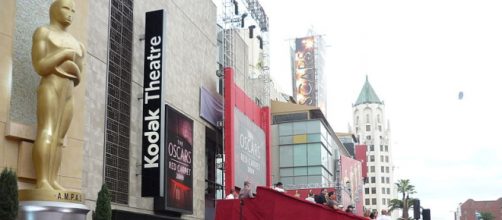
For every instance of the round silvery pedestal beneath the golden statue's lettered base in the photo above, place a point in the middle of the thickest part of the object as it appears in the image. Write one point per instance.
(44, 210)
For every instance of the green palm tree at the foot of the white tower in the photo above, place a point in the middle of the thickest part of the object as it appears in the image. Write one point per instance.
(406, 189)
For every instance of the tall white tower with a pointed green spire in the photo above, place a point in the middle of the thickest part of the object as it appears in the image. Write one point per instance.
(371, 129)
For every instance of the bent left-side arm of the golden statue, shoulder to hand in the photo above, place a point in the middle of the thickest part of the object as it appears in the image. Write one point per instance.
(44, 63)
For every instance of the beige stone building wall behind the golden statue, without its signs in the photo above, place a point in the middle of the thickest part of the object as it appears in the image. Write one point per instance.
(103, 144)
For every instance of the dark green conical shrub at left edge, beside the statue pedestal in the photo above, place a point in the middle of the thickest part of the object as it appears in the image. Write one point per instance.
(9, 203)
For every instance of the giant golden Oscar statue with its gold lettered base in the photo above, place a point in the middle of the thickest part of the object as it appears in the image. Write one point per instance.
(57, 57)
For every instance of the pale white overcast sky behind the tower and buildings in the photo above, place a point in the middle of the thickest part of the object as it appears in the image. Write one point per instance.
(418, 56)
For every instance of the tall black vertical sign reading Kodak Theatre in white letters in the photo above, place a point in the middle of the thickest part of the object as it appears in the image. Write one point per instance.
(152, 172)
